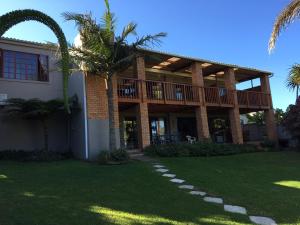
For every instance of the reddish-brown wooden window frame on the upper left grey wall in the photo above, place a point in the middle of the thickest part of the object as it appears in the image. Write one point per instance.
(38, 67)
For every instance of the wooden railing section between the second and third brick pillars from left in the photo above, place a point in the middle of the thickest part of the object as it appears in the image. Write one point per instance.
(216, 95)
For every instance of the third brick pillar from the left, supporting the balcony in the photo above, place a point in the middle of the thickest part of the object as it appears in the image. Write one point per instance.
(234, 113)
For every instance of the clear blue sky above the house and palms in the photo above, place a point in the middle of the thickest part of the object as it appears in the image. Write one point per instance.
(231, 31)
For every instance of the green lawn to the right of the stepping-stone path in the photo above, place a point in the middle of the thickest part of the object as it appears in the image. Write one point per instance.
(266, 184)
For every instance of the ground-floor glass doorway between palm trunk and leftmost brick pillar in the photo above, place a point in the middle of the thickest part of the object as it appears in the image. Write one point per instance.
(130, 133)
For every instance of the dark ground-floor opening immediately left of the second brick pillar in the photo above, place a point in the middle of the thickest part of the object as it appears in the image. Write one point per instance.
(186, 126)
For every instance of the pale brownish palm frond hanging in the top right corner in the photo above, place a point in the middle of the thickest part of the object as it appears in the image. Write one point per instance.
(287, 16)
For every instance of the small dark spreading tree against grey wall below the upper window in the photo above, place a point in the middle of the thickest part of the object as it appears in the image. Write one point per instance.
(35, 109)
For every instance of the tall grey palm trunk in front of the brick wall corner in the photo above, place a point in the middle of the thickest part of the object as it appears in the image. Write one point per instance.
(110, 99)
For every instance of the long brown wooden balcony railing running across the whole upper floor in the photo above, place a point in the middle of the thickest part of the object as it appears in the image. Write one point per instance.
(161, 92)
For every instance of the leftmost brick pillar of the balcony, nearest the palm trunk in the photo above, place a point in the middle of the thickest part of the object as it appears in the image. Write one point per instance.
(142, 107)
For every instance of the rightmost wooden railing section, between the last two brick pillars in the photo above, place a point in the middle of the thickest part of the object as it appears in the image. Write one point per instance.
(252, 98)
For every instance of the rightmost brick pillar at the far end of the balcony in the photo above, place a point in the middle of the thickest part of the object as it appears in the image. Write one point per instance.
(269, 113)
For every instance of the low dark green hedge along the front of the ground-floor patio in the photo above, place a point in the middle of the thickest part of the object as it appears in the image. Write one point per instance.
(198, 149)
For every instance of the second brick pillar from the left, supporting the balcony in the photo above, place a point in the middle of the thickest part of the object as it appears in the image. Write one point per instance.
(200, 111)
